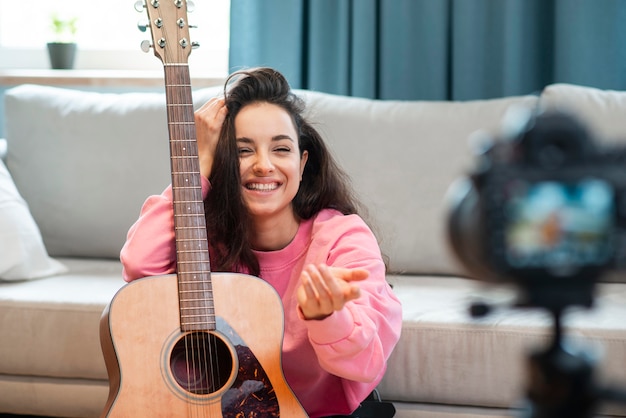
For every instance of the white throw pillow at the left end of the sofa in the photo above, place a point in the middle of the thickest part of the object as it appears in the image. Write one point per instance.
(22, 252)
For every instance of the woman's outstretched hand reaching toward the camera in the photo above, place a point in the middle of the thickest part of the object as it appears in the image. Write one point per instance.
(325, 289)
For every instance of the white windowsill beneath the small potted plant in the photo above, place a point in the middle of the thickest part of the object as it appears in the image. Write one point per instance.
(96, 78)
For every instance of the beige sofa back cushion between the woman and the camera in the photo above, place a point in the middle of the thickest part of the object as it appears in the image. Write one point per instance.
(402, 157)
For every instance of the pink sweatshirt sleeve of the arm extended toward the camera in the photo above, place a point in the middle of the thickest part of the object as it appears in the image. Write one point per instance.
(356, 342)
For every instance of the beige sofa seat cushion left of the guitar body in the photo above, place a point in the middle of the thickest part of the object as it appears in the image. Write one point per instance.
(50, 326)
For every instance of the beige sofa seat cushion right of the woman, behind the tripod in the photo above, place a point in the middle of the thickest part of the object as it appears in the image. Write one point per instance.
(444, 356)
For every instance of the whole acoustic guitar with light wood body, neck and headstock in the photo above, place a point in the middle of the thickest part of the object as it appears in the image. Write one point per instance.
(192, 344)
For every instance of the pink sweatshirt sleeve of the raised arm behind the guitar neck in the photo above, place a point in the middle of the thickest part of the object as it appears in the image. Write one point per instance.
(150, 248)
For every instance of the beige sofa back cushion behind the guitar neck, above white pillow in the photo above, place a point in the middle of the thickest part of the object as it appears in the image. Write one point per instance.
(88, 163)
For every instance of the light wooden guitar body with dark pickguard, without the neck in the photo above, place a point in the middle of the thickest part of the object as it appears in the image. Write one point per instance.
(152, 375)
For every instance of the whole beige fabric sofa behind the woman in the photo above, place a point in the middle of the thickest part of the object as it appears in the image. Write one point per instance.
(84, 162)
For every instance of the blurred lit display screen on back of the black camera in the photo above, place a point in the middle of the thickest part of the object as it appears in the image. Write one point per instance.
(558, 225)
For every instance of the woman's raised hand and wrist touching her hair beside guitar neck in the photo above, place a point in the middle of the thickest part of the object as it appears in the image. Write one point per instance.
(209, 120)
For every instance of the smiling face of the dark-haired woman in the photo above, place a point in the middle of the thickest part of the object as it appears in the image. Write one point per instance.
(270, 163)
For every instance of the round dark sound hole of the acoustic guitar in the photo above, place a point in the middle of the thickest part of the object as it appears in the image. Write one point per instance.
(201, 363)
